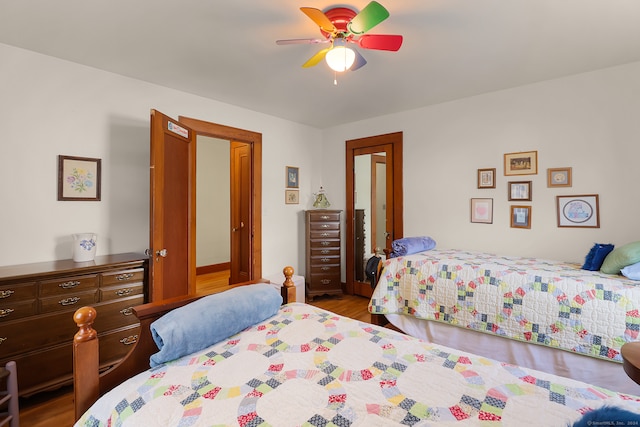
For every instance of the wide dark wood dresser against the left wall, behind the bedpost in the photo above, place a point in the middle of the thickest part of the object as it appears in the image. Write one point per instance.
(37, 302)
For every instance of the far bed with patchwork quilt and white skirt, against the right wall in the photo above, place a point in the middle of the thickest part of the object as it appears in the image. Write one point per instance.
(543, 314)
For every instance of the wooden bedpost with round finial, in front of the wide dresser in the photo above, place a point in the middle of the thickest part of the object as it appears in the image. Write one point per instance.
(86, 375)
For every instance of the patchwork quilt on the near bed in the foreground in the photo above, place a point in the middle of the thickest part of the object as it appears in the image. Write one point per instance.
(309, 367)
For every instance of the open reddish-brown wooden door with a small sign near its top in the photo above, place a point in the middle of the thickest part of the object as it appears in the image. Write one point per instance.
(172, 265)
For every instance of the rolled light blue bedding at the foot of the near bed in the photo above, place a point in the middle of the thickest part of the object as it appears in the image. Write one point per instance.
(211, 319)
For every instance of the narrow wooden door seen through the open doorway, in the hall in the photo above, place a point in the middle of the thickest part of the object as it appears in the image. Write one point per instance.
(241, 224)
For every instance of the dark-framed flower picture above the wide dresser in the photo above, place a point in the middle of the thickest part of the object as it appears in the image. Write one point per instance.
(78, 178)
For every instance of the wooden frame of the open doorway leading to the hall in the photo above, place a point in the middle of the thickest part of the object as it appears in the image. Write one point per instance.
(201, 127)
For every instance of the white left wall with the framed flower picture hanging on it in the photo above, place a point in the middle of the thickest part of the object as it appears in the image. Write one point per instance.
(50, 107)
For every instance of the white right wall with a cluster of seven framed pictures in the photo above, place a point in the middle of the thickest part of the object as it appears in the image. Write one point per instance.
(588, 122)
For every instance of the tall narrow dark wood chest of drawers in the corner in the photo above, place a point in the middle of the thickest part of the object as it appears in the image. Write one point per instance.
(323, 260)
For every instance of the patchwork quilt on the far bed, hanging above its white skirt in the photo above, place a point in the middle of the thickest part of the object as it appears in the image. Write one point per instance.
(545, 302)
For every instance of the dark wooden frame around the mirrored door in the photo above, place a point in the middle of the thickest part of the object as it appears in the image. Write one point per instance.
(395, 139)
